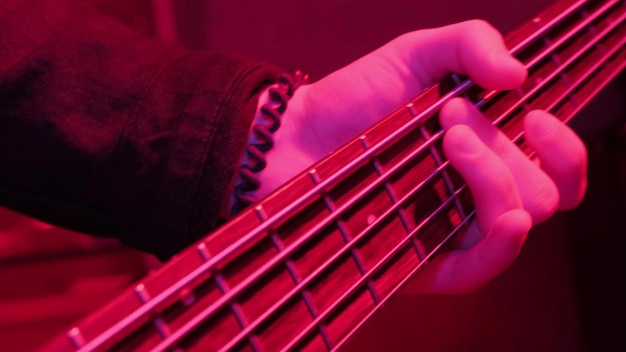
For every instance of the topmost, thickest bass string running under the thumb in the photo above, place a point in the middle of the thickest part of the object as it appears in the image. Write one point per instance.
(212, 263)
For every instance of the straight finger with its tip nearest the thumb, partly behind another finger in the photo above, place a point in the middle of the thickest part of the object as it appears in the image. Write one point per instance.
(538, 191)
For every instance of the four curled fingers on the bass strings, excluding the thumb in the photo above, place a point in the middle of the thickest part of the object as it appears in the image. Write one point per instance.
(511, 192)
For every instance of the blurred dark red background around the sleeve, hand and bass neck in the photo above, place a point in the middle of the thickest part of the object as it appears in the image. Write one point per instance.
(566, 292)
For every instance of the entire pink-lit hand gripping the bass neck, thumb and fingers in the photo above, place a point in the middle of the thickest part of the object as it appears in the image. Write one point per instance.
(512, 192)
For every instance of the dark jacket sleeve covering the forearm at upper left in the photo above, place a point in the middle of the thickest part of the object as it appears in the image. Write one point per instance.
(113, 134)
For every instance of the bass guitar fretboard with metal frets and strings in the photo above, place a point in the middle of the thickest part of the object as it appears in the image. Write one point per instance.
(305, 267)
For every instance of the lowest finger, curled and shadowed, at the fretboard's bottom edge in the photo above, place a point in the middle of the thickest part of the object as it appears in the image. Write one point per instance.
(464, 271)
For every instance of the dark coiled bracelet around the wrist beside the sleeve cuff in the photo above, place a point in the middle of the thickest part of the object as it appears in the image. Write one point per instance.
(271, 113)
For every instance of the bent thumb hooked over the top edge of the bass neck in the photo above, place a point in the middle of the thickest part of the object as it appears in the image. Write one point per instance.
(473, 48)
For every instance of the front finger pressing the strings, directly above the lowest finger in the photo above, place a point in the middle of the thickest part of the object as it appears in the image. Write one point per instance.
(489, 179)
